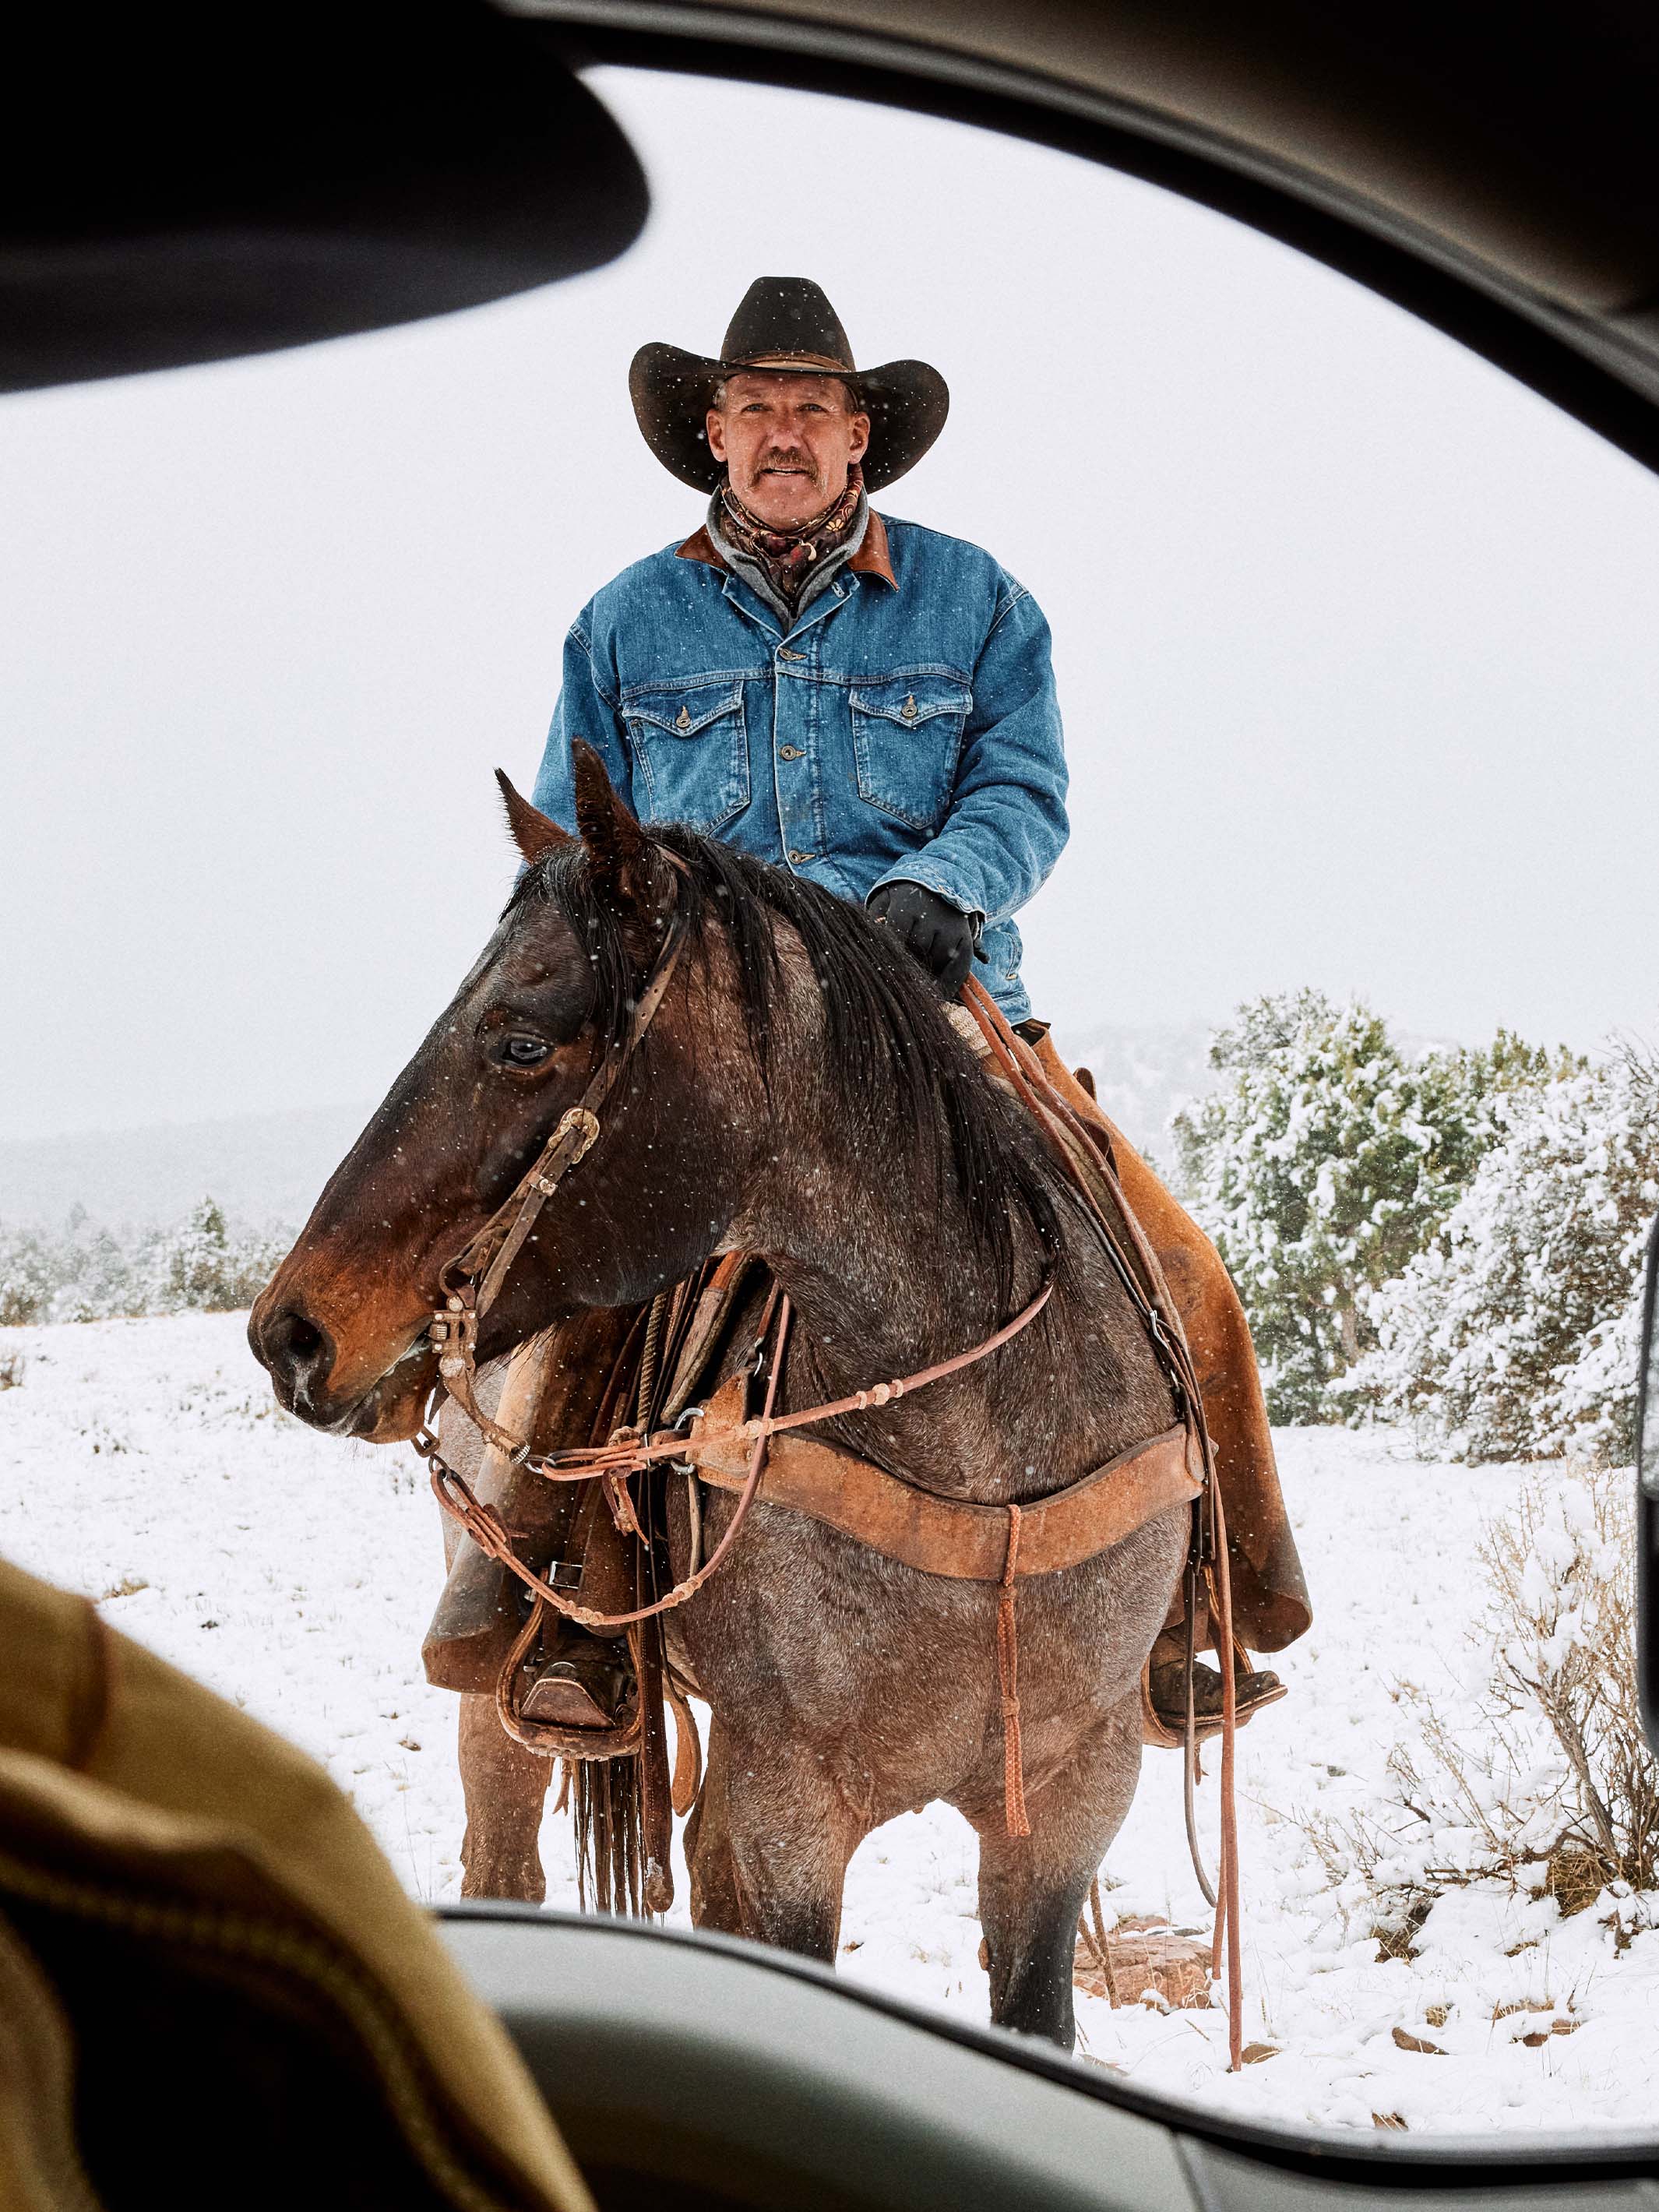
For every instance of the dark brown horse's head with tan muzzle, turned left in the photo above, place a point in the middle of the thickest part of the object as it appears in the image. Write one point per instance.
(344, 1324)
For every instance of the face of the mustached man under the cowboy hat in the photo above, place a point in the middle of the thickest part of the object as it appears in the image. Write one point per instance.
(789, 444)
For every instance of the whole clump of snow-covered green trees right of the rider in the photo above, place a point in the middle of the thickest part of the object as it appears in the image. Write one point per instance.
(1450, 1240)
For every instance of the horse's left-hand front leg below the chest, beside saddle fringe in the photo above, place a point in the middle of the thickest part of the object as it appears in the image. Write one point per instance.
(771, 1848)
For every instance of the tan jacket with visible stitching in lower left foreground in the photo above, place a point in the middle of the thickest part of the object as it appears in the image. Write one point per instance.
(211, 1985)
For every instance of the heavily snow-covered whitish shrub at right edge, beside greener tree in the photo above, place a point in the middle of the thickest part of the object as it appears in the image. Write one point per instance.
(1514, 1333)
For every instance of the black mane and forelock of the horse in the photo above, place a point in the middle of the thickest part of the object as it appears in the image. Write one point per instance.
(904, 1074)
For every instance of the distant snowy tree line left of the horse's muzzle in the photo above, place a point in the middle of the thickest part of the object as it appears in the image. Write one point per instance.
(87, 1273)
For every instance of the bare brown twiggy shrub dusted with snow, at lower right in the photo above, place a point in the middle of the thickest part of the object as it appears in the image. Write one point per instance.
(1541, 1777)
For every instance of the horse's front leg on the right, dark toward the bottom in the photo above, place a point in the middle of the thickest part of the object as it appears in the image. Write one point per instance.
(1034, 1888)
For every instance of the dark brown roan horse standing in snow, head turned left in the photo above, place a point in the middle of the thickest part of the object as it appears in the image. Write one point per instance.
(800, 1096)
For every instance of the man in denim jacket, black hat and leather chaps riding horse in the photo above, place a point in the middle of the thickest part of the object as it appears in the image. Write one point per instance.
(870, 707)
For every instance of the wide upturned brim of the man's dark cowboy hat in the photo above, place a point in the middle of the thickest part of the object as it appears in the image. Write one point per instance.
(671, 393)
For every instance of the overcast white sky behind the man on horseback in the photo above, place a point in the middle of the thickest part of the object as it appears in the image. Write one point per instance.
(1357, 640)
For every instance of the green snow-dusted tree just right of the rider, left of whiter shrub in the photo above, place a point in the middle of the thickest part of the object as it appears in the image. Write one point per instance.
(1324, 1165)
